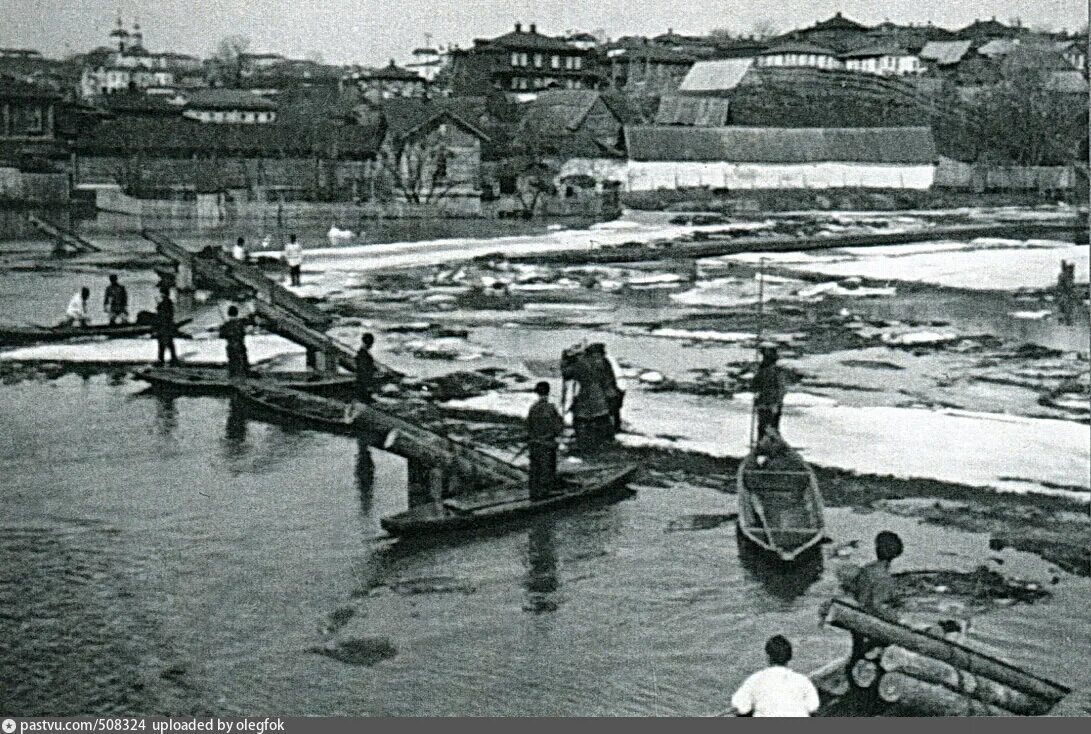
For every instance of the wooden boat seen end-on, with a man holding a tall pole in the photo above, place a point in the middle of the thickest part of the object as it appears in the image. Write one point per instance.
(781, 509)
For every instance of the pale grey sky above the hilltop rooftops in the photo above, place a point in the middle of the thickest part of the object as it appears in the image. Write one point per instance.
(373, 32)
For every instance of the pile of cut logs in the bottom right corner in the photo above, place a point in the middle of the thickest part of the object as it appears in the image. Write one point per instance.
(932, 677)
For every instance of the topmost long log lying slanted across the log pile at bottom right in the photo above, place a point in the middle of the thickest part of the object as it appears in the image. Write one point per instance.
(855, 620)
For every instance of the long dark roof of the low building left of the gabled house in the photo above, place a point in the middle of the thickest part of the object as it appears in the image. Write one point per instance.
(181, 136)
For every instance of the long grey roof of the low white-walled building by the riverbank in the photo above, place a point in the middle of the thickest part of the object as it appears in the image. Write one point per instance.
(782, 146)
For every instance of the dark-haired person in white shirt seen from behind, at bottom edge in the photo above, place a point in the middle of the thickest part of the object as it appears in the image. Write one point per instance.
(777, 691)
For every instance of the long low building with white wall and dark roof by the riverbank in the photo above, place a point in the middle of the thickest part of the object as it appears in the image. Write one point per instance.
(778, 159)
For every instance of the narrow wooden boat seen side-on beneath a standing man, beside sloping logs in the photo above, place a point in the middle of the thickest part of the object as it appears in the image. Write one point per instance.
(509, 504)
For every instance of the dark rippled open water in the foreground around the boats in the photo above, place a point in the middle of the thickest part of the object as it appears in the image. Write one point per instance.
(174, 557)
